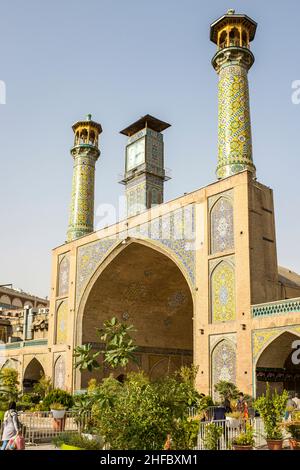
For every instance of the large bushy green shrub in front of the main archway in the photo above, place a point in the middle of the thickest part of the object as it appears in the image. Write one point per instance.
(138, 414)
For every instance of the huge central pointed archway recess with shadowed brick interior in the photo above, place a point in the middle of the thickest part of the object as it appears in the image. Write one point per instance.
(142, 286)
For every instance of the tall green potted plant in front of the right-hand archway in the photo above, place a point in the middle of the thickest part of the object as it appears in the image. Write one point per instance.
(271, 408)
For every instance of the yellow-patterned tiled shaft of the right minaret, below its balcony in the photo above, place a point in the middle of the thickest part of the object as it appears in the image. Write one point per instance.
(234, 134)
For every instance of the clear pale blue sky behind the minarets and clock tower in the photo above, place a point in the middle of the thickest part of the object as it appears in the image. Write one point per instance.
(120, 59)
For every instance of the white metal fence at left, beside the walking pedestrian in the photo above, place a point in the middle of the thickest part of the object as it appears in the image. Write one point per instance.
(41, 426)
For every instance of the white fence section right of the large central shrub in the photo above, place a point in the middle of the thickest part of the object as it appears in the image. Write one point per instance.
(230, 431)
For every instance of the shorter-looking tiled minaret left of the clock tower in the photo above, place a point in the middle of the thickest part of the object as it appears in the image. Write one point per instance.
(85, 153)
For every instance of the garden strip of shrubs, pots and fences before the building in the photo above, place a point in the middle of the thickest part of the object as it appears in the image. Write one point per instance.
(137, 413)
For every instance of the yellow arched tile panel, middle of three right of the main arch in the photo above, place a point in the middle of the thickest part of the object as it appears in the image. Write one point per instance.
(223, 293)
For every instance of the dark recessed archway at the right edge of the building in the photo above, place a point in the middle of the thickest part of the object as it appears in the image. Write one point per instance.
(276, 365)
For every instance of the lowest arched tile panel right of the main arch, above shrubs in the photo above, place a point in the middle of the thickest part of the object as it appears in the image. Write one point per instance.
(223, 364)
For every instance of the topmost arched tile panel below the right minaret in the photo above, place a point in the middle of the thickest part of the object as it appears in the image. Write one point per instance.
(222, 235)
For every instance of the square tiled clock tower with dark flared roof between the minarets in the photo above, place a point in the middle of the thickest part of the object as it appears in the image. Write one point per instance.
(144, 164)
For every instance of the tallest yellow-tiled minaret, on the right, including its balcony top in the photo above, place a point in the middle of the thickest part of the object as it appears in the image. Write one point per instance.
(232, 33)
